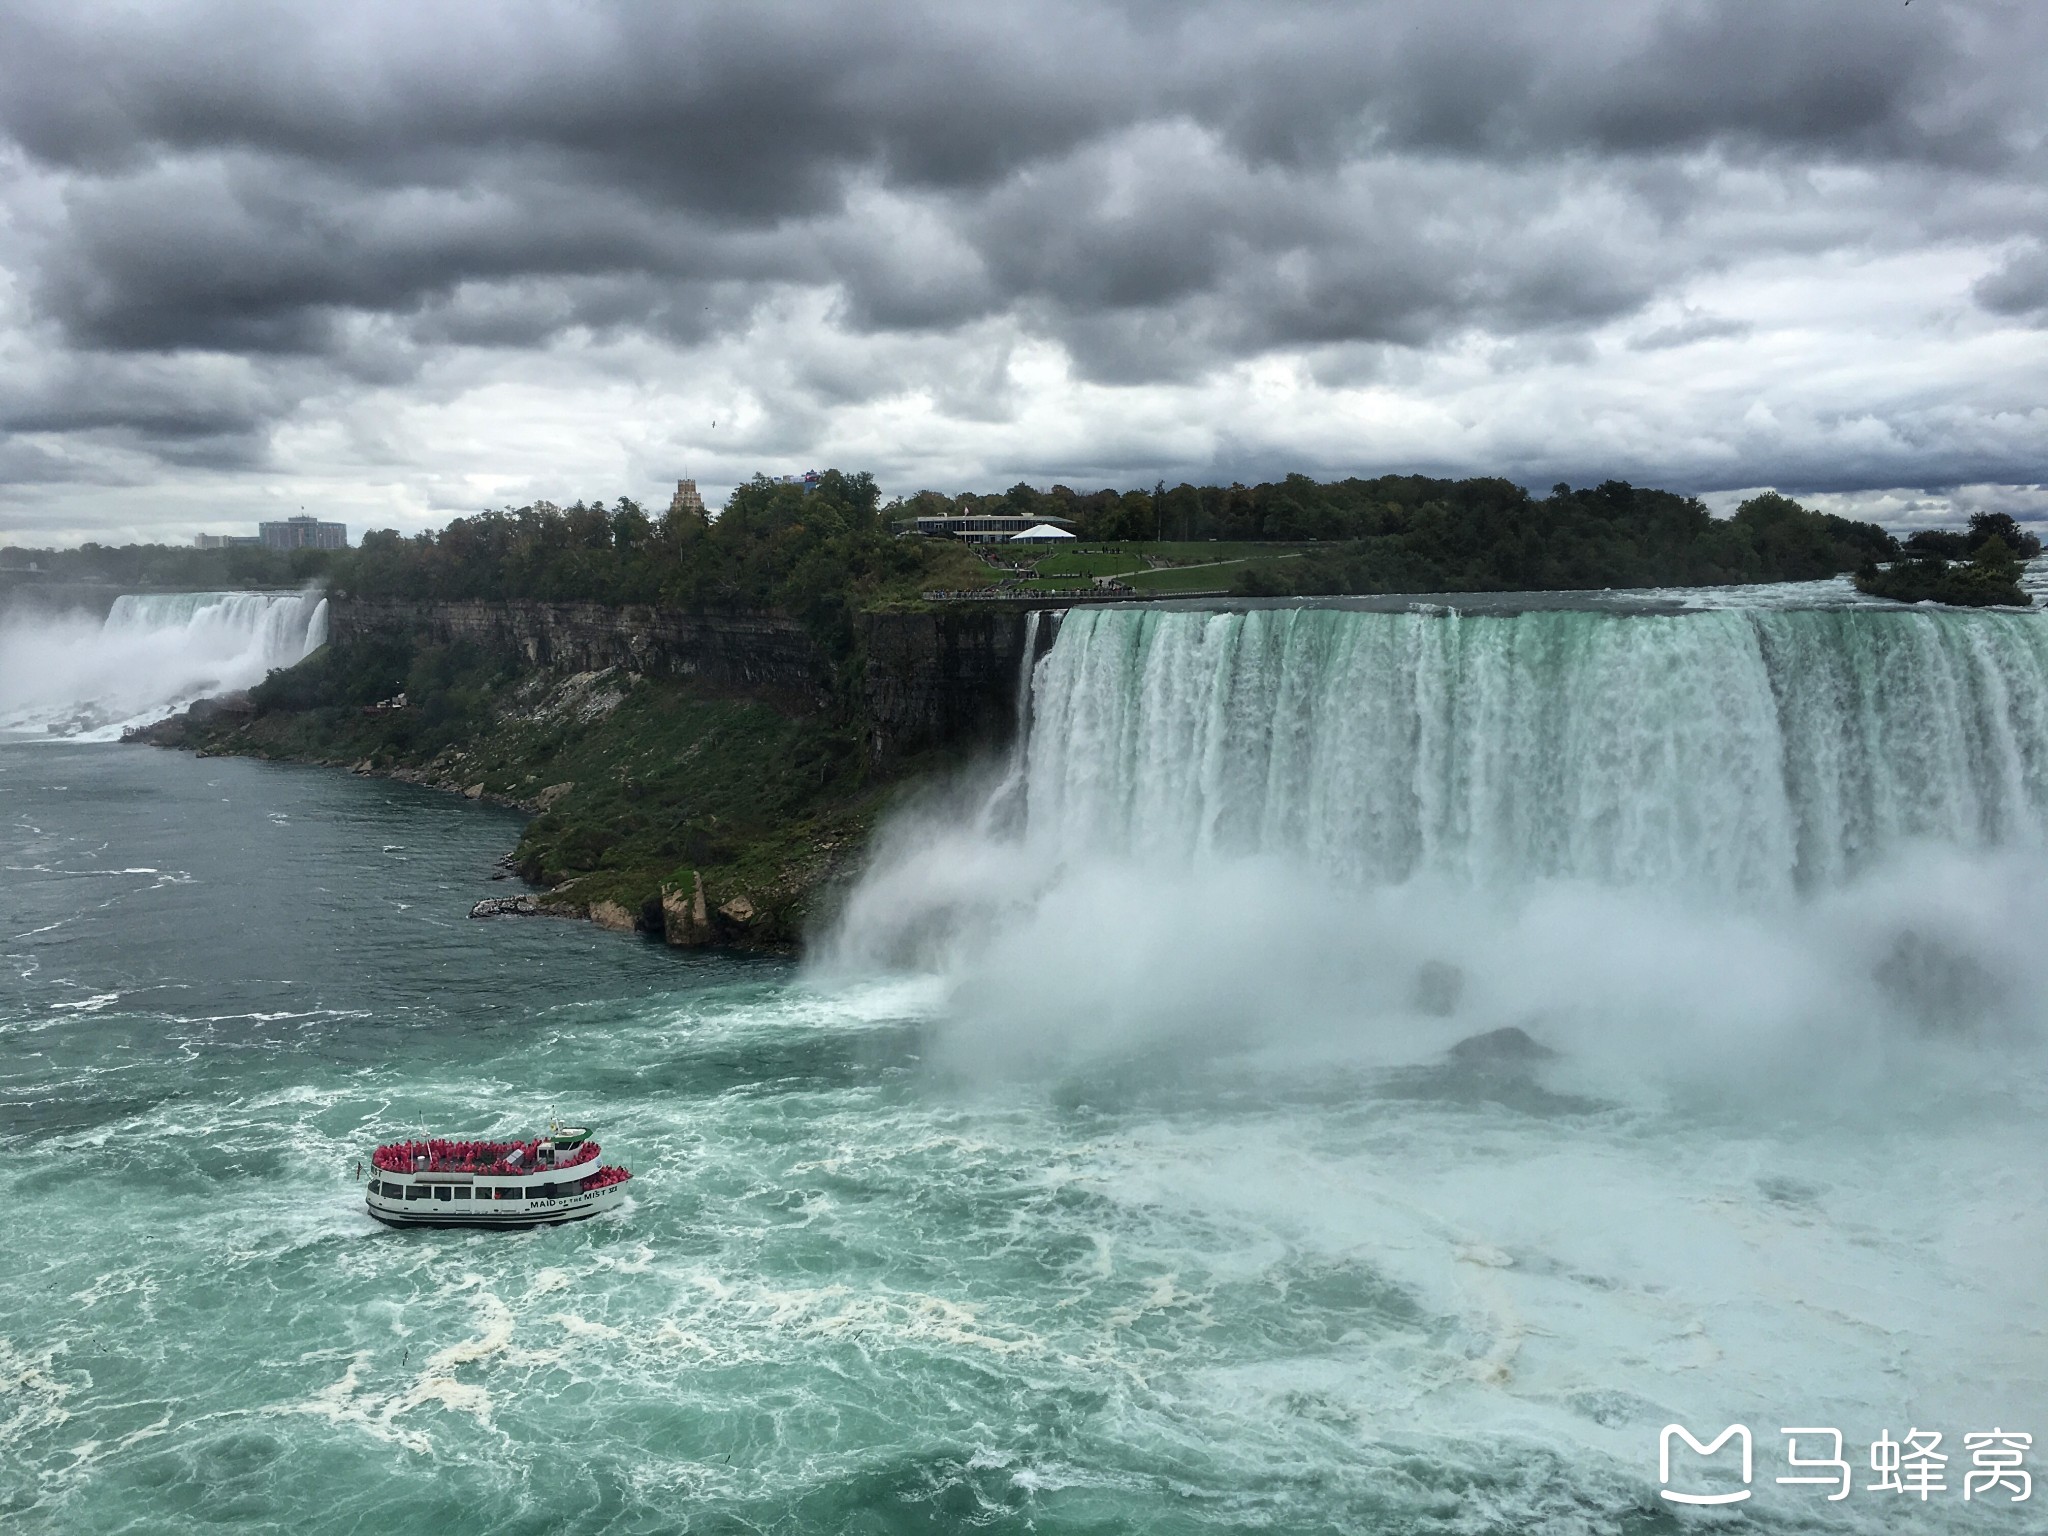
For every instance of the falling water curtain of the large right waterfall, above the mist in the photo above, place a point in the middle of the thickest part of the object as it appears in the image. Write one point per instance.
(1744, 753)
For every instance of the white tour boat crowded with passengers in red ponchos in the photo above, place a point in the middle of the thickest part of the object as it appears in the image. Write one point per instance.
(445, 1183)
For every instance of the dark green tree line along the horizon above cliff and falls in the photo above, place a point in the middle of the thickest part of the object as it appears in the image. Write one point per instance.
(824, 552)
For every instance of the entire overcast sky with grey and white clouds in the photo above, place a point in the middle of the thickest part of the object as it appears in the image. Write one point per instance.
(392, 263)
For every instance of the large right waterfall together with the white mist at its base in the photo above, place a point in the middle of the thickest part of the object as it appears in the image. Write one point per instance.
(1715, 824)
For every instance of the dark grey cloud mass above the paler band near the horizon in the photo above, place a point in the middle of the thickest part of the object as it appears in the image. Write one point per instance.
(343, 200)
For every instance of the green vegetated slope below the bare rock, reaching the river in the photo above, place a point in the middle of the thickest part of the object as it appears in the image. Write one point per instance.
(642, 787)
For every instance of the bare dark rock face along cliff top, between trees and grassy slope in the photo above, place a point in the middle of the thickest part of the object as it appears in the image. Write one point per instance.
(931, 679)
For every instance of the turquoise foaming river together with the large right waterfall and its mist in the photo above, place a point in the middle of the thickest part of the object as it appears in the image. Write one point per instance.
(1357, 1072)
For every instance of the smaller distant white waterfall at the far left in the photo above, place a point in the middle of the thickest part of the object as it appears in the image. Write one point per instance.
(155, 654)
